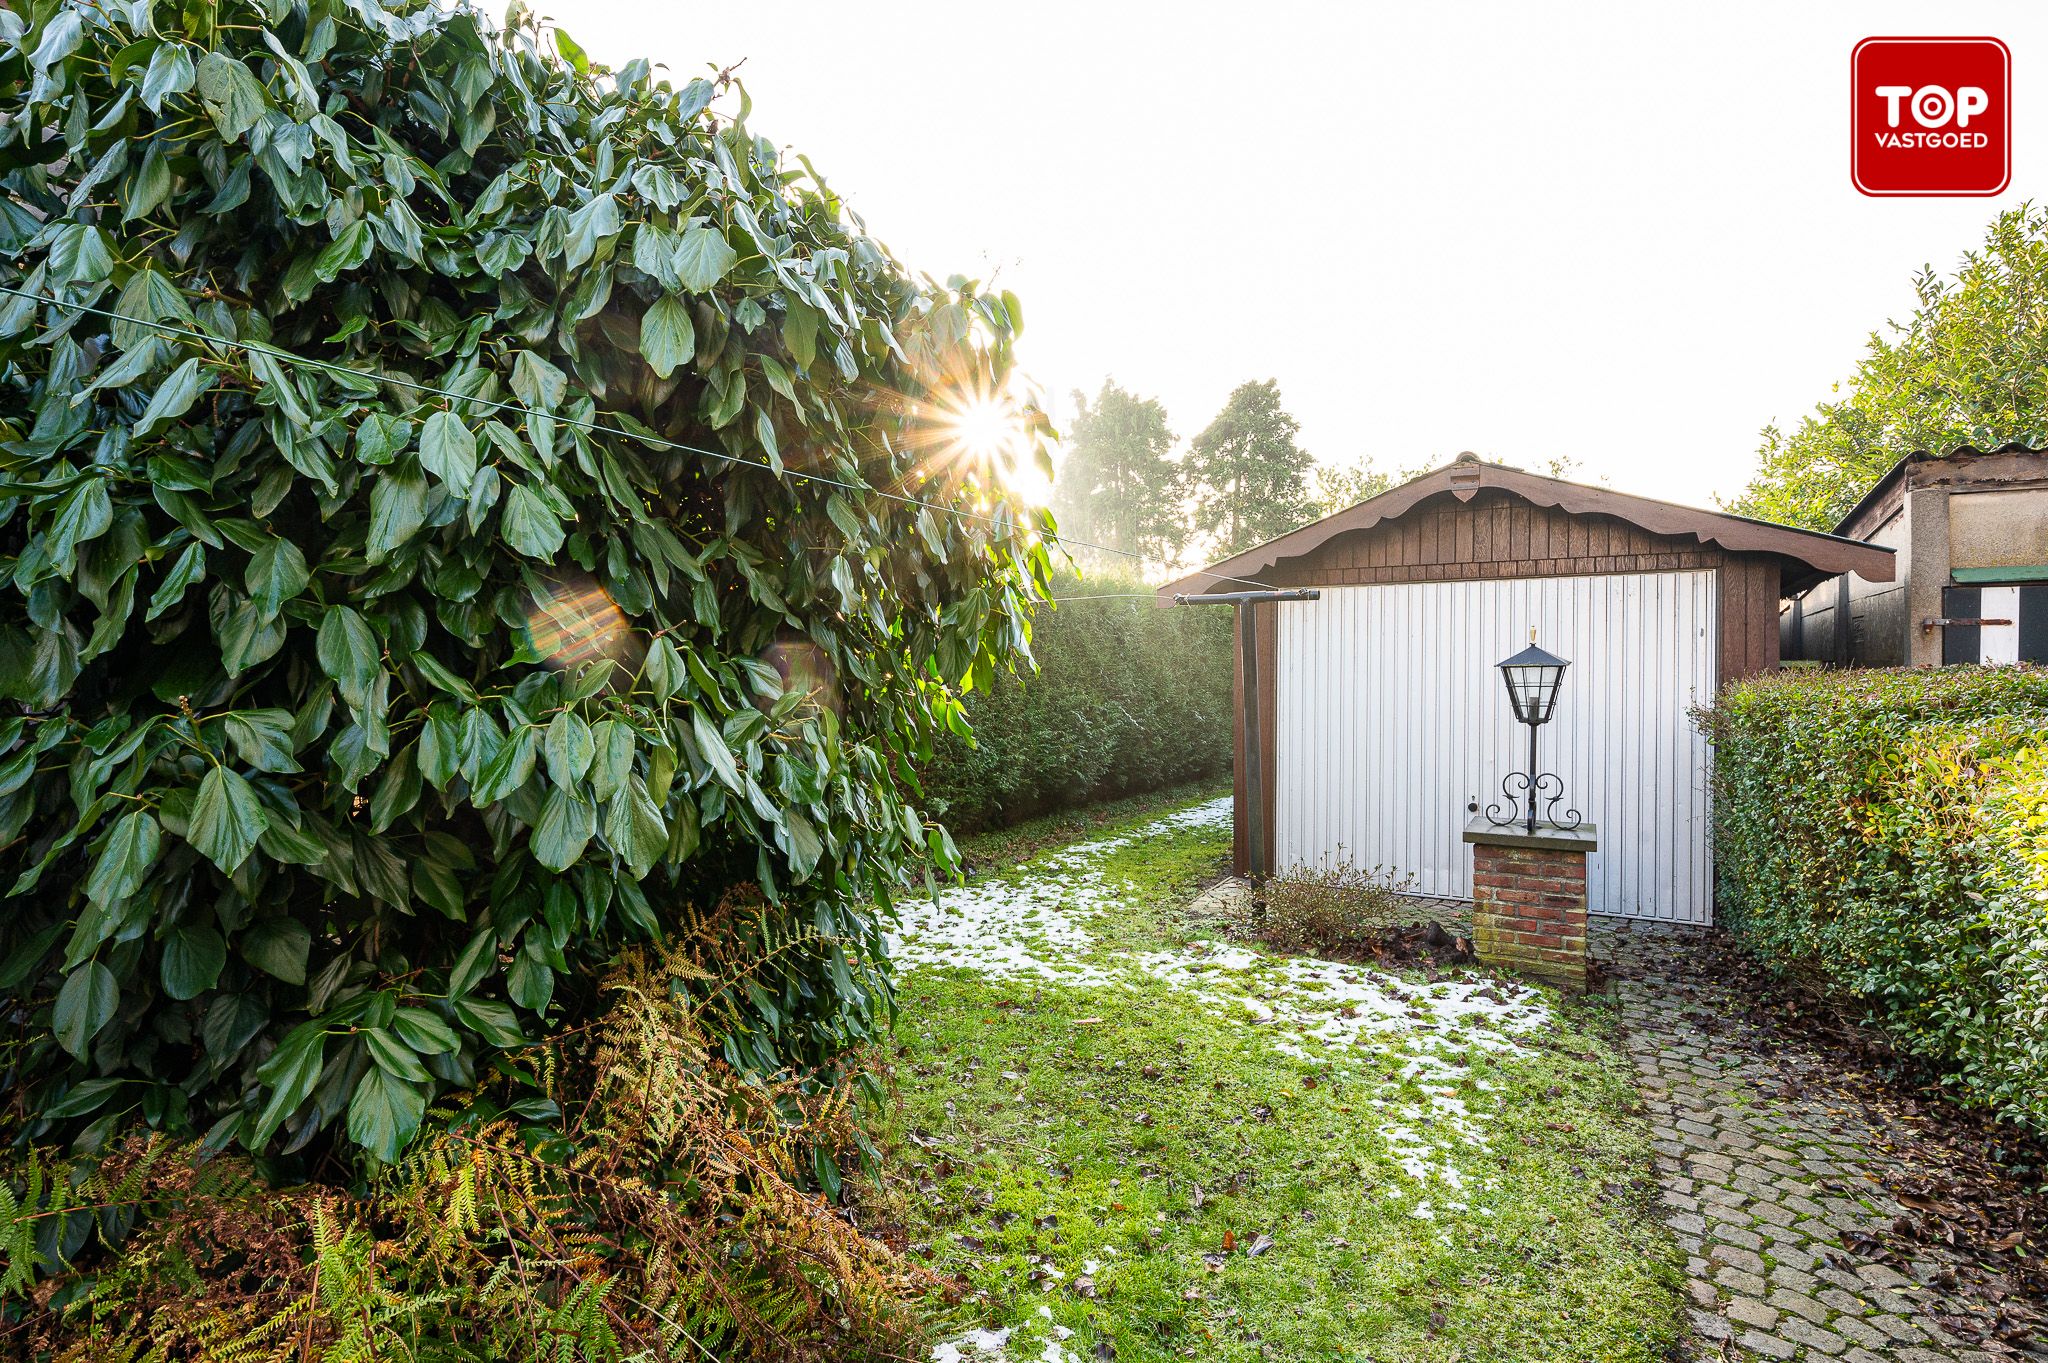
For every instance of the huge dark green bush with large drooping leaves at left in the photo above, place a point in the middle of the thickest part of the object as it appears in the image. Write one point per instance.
(411, 597)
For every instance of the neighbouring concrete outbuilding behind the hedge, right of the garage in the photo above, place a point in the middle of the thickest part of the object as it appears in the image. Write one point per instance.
(1971, 533)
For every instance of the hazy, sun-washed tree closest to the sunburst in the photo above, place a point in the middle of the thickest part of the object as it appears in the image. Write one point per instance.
(1117, 486)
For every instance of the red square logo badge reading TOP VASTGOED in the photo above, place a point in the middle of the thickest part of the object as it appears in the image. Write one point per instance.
(1932, 116)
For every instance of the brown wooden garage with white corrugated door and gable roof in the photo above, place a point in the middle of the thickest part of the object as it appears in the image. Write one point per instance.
(1383, 723)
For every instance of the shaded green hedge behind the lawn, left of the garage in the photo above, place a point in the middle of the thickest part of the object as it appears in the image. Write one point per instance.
(1127, 699)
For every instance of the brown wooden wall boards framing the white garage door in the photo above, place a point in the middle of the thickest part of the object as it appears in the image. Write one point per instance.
(1502, 535)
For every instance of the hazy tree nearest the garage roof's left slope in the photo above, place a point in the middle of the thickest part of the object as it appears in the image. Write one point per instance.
(1250, 480)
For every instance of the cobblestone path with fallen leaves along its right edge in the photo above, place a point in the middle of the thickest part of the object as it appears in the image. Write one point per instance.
(1764, 1176)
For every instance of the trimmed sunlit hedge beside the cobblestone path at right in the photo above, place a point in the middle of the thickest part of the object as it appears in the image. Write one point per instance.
(1887, 834)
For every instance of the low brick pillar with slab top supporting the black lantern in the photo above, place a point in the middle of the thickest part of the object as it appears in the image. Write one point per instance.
(1529, 899)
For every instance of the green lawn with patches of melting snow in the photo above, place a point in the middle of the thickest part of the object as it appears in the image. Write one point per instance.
(1129, 1139)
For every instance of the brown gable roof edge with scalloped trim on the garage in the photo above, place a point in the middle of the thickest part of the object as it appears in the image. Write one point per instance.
(1809, 556)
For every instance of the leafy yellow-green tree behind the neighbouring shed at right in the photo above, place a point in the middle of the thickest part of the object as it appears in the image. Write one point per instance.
(1969, 367)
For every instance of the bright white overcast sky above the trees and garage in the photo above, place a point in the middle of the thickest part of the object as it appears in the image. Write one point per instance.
(1621, 234)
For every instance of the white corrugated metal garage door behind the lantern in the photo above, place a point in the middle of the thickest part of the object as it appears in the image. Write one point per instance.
(1392, 721)
